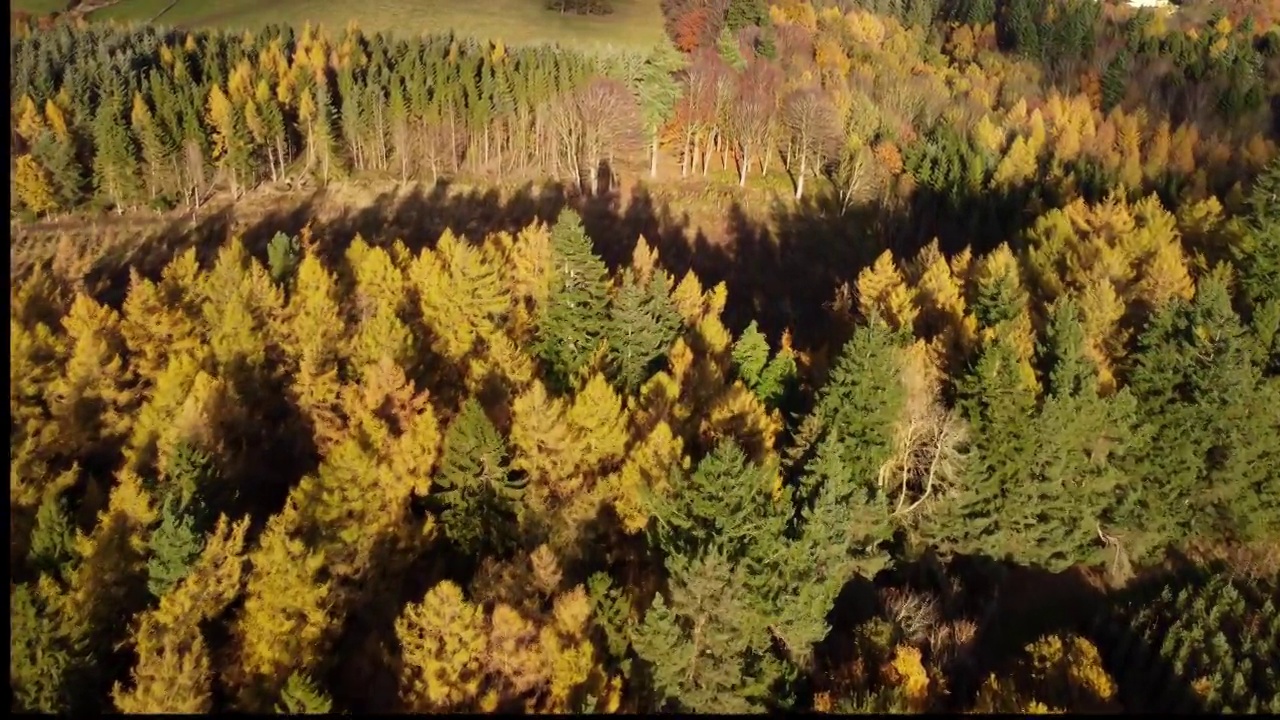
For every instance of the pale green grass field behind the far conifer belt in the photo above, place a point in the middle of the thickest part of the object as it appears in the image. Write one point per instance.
(634, 24)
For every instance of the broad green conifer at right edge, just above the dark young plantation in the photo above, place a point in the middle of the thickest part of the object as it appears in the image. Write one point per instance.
(1210, 466)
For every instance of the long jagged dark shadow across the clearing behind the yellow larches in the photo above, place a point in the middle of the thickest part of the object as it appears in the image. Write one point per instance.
(781, 265)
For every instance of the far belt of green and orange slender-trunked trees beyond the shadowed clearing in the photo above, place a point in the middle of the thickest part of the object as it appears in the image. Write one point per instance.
(152, 117)
